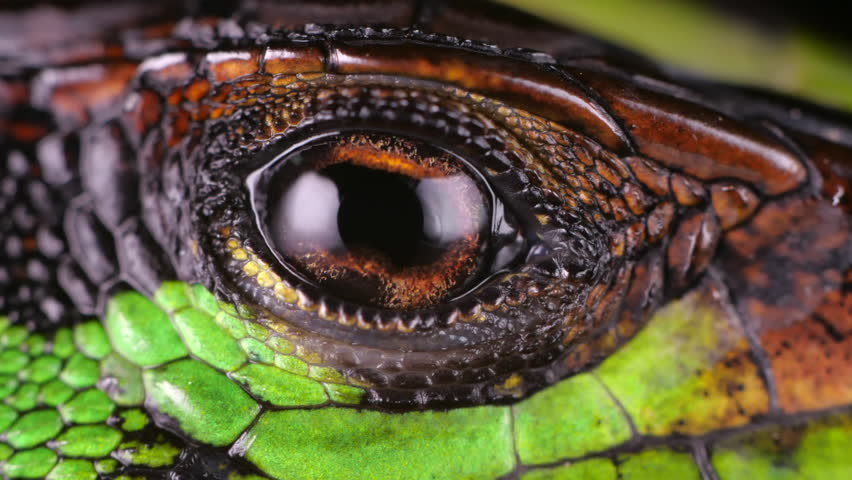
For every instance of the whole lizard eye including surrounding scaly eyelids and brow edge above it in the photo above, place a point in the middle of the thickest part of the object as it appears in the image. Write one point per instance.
(382, 219)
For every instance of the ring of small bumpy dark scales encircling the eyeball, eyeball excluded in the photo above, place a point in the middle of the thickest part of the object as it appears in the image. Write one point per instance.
(511, 322)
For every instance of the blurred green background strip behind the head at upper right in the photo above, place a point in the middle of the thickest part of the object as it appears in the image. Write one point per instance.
(724, 43)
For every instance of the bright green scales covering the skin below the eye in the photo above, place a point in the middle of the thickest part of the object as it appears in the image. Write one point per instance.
(79, 404)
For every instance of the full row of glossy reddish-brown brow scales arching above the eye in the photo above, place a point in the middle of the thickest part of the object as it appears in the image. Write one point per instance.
(566, 94)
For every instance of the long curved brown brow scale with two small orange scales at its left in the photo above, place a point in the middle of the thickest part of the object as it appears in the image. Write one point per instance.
(538, 88)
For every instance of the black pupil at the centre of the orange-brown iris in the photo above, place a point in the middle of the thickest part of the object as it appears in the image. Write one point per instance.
(380, 211)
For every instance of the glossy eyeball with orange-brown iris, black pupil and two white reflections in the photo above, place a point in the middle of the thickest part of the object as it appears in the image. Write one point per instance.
(383, 220)
